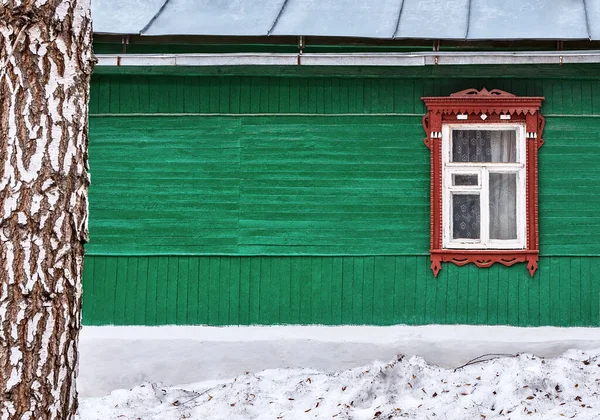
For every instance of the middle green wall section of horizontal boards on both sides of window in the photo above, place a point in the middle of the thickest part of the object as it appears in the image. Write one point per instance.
(312, 185)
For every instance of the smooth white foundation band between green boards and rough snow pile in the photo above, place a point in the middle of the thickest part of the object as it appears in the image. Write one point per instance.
(123, 357)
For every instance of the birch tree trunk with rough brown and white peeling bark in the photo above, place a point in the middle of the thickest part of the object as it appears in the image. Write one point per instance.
(45, 67)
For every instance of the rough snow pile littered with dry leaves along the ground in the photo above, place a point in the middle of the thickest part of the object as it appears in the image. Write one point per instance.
(521, 387)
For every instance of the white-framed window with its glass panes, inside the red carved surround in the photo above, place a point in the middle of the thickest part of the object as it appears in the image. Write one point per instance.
(484, 186)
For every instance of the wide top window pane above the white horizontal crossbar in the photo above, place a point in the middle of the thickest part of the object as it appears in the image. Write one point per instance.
(484, 146)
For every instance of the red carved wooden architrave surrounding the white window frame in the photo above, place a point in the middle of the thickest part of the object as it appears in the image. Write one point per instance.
(471, 104)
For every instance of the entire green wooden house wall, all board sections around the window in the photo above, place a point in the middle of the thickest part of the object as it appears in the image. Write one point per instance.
(303, 198)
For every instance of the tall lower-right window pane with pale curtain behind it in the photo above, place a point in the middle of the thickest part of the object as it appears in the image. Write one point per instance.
(503, 206)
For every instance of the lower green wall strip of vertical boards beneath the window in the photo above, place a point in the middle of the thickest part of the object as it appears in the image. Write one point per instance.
(380, 290)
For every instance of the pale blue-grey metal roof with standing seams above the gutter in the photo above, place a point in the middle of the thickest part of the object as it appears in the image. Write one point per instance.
(383, 19)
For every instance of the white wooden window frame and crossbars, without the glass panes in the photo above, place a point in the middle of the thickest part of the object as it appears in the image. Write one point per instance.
(482, 170)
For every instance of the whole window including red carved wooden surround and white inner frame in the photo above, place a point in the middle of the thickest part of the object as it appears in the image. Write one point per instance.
(483, 178)
